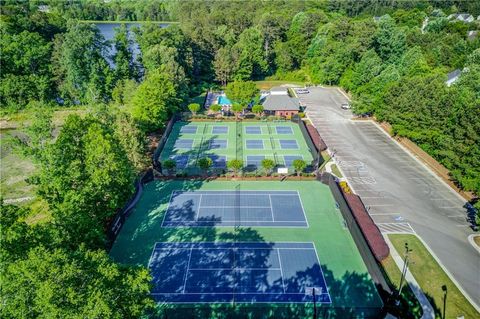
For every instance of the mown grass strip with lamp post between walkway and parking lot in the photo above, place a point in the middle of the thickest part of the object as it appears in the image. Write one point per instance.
(431, 277)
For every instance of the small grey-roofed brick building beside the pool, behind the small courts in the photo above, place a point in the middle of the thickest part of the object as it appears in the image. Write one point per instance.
(278, 102)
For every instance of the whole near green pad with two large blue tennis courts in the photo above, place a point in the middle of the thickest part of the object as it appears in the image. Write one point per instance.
(246, 269)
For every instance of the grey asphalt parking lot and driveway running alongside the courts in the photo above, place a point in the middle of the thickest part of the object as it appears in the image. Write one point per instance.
(401, 194)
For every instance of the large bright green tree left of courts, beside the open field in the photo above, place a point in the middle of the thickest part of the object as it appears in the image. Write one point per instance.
(85, 176)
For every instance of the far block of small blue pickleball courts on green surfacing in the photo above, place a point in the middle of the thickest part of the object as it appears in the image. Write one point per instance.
(223, 141)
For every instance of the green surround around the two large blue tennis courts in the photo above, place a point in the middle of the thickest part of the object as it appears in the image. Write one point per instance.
(349, 284)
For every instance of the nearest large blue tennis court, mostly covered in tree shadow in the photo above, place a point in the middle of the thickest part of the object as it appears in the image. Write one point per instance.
(243, 272)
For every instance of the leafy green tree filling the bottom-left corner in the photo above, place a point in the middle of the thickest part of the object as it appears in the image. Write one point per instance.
(93, 286)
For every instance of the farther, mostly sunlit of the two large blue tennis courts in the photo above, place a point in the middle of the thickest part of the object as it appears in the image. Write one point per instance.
(232, 208)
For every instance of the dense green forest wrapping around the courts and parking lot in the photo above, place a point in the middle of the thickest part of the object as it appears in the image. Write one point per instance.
(393, 57)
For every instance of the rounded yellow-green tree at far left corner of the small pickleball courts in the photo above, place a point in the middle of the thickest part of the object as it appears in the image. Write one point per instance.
(154, 101)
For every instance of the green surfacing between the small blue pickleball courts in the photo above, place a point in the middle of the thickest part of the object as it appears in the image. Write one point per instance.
(204, 134)
